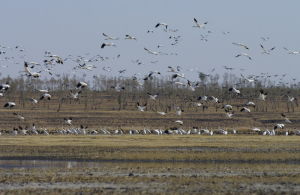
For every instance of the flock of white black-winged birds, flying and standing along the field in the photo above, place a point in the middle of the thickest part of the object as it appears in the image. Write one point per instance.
(176, 74)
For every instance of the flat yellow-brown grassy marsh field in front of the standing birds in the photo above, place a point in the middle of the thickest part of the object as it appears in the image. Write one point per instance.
(154, 164)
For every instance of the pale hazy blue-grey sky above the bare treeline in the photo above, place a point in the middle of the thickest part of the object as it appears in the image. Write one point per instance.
(75, 27)
